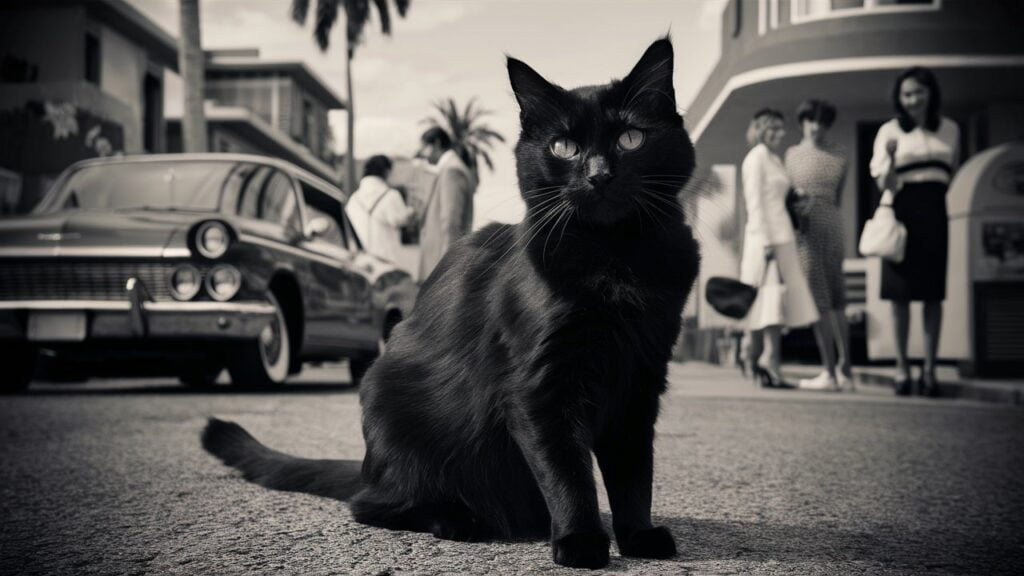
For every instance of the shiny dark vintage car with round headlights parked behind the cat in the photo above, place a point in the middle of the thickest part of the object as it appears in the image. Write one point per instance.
(186, 265)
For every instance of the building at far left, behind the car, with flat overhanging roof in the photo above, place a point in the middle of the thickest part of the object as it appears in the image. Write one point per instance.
(77, 80)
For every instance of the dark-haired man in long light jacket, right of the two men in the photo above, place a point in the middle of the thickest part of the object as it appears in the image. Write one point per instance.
(449, 213)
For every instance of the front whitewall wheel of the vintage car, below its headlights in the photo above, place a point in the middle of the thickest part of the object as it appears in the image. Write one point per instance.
(264, 363)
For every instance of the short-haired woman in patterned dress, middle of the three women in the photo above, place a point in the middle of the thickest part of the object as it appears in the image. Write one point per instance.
(818, 169)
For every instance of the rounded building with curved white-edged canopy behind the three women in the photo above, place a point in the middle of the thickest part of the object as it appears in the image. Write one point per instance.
(779, 53)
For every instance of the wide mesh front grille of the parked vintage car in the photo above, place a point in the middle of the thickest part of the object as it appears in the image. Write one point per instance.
(44, 280)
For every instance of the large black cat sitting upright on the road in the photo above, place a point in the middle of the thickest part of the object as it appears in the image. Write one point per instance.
(533, 346)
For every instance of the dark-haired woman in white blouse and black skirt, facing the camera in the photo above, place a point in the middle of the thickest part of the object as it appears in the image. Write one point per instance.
(916, 155)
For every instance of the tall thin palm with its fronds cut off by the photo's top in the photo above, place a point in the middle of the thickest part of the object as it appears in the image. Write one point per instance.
(357, 17)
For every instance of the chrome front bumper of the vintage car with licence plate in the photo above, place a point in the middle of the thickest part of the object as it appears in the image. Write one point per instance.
(136, 318)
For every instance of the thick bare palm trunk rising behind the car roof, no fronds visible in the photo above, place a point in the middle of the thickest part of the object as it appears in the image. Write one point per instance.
(191, 64)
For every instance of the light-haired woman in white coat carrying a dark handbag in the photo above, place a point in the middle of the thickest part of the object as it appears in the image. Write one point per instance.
(770, 250)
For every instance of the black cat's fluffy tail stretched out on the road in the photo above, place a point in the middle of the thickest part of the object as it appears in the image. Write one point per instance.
(237, 448)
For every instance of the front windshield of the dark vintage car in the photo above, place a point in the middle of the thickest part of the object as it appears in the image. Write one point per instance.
(149, 186)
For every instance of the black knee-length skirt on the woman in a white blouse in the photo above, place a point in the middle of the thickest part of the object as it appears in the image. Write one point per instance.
(922, 275)
